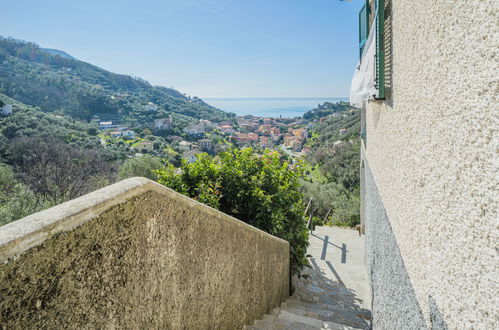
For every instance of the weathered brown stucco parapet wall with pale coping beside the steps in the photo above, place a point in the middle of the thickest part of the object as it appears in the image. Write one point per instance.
(144, 257)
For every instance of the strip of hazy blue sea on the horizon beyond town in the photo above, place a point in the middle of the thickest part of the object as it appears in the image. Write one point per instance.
(270, 107)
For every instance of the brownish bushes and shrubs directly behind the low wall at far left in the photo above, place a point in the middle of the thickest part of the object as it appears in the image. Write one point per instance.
(46, 172)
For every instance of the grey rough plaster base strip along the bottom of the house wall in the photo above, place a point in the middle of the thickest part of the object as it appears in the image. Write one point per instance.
(394, 304)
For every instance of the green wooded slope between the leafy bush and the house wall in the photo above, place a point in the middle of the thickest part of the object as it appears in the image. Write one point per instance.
(334, 183)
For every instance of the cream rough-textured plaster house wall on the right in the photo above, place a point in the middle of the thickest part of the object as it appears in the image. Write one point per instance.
(433, 151)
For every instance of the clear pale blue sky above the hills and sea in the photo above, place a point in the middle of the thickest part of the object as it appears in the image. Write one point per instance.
(205, 48)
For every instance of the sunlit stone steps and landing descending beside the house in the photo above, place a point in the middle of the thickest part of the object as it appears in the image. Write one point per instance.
(336, 295)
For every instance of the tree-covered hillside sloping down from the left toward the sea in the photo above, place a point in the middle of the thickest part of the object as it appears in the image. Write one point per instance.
(66, 86)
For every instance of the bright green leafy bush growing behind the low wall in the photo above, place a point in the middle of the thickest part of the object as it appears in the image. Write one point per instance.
(259, 189)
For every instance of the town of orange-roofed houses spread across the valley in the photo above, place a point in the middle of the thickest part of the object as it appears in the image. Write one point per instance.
(289, 135)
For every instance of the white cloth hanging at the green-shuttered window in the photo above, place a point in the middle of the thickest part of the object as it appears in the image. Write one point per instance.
(364, 79)
